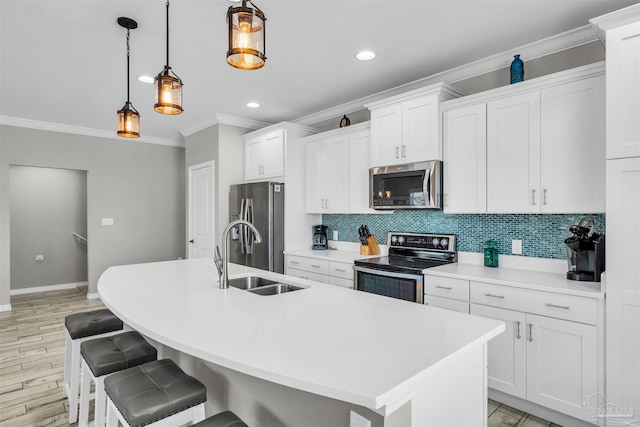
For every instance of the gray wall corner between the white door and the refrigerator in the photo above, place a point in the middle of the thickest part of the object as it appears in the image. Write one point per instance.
(224, 145)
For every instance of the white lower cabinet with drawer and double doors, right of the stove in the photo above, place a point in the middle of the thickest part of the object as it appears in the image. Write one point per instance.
(546, 360)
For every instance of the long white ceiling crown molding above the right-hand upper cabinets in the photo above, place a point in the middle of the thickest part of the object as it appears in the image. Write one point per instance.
(550, 45)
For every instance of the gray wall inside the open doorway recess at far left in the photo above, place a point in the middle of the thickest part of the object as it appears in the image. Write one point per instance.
(47, 205)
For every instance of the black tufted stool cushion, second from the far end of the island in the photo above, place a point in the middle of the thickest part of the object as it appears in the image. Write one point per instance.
(117, 352)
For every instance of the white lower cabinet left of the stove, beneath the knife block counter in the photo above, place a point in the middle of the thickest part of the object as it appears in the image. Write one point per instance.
(325, 271)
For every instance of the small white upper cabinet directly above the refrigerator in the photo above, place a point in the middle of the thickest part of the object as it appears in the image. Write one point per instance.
(264, 156)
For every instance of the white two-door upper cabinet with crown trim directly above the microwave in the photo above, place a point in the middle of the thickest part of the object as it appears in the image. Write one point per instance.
(406, 128)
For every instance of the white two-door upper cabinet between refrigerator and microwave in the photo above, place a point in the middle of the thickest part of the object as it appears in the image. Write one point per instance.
(337, 171)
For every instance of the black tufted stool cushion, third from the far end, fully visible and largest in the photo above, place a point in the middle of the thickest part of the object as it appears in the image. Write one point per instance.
(153, 391)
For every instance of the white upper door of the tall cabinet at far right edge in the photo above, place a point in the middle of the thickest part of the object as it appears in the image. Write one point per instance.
(623, 87)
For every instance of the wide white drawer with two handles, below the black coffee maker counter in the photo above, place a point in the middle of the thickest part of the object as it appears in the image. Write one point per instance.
(569, 307)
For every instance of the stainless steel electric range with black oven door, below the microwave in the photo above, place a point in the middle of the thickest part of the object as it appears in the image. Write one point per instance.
(399, 275)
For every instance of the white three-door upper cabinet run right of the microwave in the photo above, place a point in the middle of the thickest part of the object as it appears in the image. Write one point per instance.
(545, 146)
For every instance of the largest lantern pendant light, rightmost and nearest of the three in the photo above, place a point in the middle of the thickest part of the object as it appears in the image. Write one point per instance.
(246, 36)
